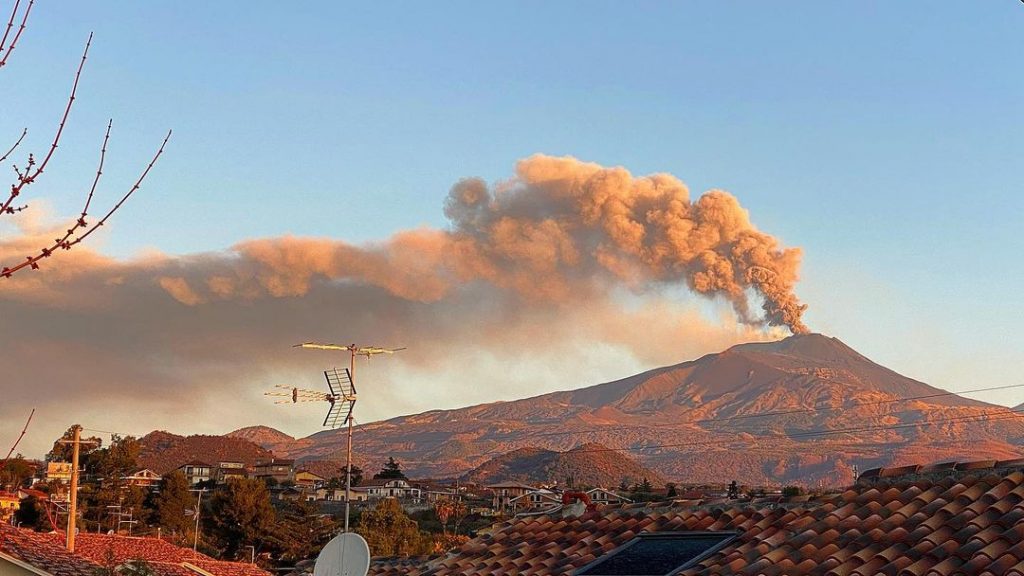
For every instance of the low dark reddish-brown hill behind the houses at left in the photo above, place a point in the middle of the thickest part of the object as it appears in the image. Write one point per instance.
(162, 451)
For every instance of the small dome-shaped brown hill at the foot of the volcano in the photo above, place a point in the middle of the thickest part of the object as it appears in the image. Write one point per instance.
(588, 465)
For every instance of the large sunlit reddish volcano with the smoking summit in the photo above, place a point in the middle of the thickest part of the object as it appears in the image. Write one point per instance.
(806, 409)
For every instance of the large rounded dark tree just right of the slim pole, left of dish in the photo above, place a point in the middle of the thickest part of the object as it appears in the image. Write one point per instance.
(241, 515)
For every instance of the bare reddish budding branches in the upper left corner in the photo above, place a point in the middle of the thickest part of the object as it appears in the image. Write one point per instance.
(32, 167)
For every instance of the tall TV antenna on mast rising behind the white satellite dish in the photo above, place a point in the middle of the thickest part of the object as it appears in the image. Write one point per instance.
(343, 399)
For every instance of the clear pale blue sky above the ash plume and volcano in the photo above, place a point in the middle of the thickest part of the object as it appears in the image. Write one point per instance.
(883, 139)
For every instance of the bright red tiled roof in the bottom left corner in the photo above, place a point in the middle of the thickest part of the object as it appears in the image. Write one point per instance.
(24, 553)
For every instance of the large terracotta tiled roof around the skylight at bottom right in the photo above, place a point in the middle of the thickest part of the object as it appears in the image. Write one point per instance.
(969, 523)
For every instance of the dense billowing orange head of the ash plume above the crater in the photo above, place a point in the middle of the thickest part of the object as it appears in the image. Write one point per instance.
(563, 225)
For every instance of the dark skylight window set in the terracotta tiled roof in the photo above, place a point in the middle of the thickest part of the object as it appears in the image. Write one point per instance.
(658, 554)
